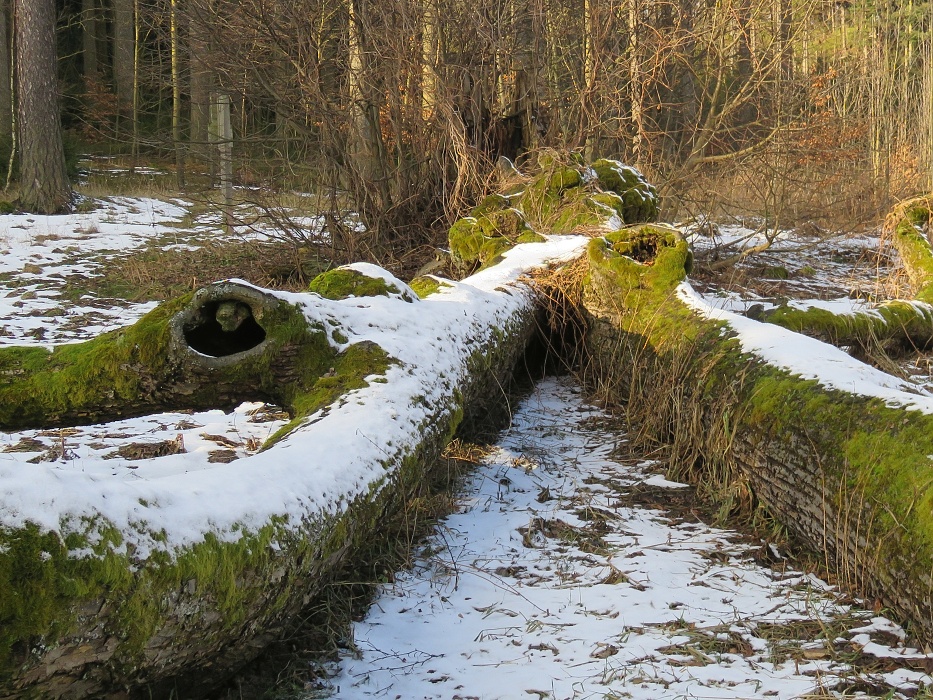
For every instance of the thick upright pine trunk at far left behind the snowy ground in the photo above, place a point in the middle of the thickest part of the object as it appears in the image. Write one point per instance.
(44, 187)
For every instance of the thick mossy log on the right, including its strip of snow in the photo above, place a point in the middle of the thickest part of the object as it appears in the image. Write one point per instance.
(839, 452)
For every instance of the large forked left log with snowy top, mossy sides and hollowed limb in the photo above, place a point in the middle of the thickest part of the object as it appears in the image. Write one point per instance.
(116, 583)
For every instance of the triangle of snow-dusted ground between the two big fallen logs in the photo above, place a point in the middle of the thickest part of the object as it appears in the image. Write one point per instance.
(552, 582)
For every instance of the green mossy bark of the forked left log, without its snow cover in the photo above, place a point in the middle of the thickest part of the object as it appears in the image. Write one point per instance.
(83, 613)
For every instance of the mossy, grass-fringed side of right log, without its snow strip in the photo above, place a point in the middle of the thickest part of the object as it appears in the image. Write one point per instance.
(685, 383)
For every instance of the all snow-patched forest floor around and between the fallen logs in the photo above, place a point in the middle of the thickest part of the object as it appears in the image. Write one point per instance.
(570, 568)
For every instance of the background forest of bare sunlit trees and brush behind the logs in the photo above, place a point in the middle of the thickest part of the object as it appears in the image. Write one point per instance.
(398, 110)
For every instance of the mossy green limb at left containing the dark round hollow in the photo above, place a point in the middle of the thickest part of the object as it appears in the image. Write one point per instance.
(178, 356)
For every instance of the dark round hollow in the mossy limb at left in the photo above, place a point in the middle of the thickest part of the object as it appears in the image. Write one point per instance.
(224, 327)
